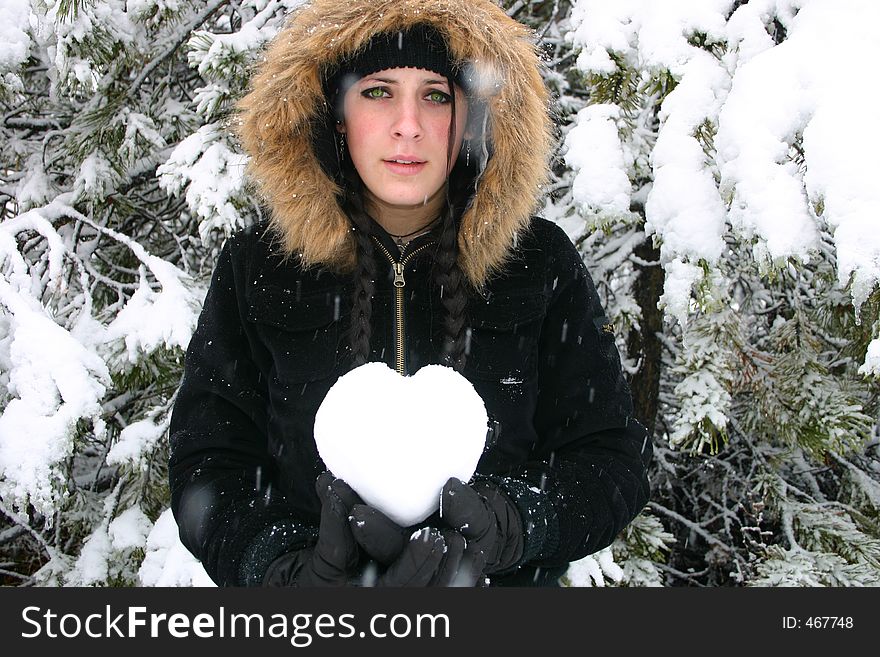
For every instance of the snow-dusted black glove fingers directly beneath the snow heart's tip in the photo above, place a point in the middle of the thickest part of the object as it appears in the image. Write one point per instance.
(427, 557)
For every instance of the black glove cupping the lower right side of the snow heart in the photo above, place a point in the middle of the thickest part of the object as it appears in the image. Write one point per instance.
(487, 518)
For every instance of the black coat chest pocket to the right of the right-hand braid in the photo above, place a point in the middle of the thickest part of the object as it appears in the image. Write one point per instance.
(504, 337)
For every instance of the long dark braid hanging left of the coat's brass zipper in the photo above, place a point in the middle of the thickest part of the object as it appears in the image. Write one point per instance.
(364, 280)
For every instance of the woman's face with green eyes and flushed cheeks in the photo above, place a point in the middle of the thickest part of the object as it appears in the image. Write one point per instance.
(396, 123)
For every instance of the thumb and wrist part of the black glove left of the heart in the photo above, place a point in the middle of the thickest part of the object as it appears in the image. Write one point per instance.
(333, 560)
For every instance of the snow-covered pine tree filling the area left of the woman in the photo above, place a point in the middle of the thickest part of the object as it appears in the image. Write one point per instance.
(119, 183)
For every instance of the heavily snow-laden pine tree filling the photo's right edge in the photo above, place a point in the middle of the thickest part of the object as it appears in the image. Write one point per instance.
(730, 128)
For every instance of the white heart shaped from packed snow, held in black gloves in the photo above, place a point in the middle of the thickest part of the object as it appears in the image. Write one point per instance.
(396, 440)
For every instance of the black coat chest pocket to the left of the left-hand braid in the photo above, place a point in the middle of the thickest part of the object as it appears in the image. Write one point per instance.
(301, 333)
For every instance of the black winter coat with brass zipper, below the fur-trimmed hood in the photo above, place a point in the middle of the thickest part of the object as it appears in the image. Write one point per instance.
(271, 341)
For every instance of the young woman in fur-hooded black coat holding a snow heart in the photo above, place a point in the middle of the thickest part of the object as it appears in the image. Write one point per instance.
(400, 147)
